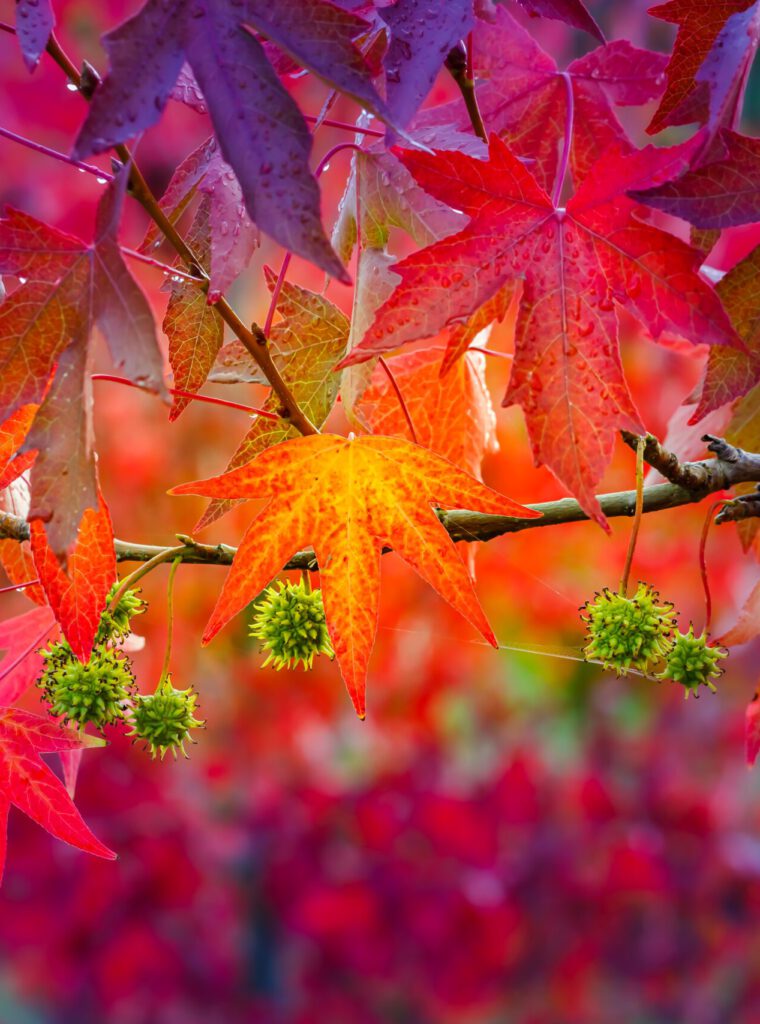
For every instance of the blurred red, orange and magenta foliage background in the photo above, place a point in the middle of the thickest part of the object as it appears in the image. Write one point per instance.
(508, 838)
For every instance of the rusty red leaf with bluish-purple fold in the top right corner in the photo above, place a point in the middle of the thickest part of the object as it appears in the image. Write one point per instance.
(714, 48)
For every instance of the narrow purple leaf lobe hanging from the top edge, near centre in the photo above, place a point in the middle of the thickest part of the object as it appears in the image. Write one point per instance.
(423, 33)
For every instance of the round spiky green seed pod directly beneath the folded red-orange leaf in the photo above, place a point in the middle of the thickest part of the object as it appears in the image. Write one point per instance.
(94, 693)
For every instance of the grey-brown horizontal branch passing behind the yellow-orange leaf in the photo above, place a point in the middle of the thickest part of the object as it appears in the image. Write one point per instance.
(732, 466)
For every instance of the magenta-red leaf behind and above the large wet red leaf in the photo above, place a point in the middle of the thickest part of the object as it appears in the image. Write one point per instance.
(527, 100)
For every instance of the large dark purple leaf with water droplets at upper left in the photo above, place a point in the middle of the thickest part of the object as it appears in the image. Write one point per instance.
(261, 132)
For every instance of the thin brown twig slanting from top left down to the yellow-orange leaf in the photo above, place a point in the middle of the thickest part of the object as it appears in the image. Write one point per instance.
(254, 338)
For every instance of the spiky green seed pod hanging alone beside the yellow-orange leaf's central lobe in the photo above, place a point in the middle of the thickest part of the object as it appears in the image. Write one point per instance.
(289, 621)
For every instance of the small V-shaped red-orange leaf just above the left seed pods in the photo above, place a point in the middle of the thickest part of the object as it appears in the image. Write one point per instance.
(78, 595)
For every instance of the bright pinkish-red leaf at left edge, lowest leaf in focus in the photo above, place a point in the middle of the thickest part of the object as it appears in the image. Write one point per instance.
(29, 785)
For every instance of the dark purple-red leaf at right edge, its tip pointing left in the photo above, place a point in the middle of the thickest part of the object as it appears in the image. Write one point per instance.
(721, 194)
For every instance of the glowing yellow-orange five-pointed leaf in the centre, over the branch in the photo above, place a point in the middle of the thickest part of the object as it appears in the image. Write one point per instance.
(350, 498)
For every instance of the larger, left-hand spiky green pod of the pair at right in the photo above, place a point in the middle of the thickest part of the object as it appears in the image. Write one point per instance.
(628, 633)
